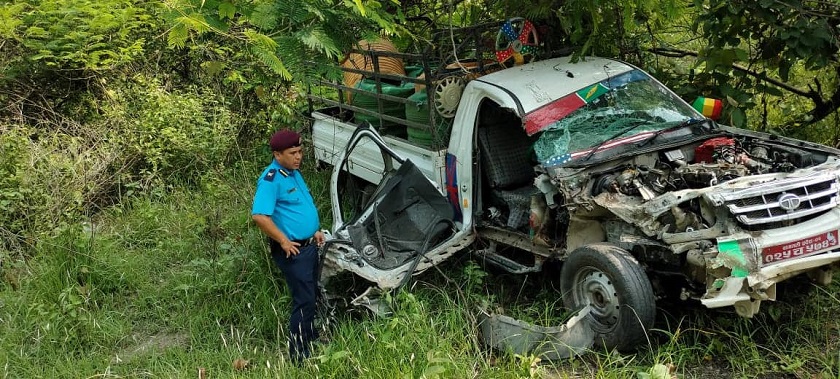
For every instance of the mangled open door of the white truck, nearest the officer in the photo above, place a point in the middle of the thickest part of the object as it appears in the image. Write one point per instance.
(402, 225)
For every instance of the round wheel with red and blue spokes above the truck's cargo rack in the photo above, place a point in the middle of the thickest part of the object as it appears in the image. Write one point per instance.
(516, 39)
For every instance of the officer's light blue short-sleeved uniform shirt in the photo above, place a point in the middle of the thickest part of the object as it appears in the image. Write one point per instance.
(283, 195)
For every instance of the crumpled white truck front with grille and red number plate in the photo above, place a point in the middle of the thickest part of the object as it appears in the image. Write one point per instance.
(761, 230)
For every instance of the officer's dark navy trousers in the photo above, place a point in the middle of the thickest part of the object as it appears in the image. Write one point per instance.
(300, 272)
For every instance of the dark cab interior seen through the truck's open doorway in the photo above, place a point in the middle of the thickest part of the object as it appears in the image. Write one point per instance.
(507, 165)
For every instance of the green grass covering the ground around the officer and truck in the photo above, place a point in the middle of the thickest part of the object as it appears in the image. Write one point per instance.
(165, 285)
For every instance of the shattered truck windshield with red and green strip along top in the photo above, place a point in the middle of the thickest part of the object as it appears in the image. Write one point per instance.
(627, 108)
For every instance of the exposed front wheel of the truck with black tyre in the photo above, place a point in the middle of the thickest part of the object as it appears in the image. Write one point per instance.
(611, 280)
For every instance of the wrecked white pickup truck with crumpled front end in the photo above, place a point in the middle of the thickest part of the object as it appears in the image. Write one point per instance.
(595, 164)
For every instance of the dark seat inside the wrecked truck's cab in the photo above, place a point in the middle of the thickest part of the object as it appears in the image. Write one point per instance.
(505, 154)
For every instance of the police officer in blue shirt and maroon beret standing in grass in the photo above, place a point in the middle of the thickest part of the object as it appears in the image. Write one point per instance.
(284, 210)
